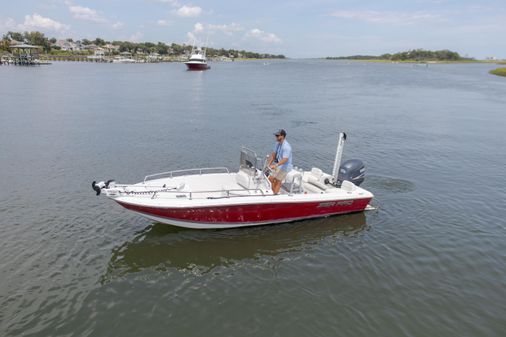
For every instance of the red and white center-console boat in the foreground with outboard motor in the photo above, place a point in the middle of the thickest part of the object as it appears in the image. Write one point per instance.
(218, 198)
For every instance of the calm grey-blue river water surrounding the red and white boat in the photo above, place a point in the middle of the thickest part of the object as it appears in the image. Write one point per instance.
(430, 262)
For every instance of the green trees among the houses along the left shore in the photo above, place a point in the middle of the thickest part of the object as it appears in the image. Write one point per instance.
(48, 45)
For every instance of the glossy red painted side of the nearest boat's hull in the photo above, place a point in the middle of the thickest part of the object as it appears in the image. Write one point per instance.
(254, 213)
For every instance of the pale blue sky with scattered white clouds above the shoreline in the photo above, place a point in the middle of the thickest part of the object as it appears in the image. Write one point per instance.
(297, 29)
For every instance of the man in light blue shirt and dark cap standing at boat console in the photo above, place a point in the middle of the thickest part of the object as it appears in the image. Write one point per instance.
(280, 161)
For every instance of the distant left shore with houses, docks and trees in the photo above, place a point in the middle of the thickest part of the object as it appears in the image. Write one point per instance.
(32, 47)
